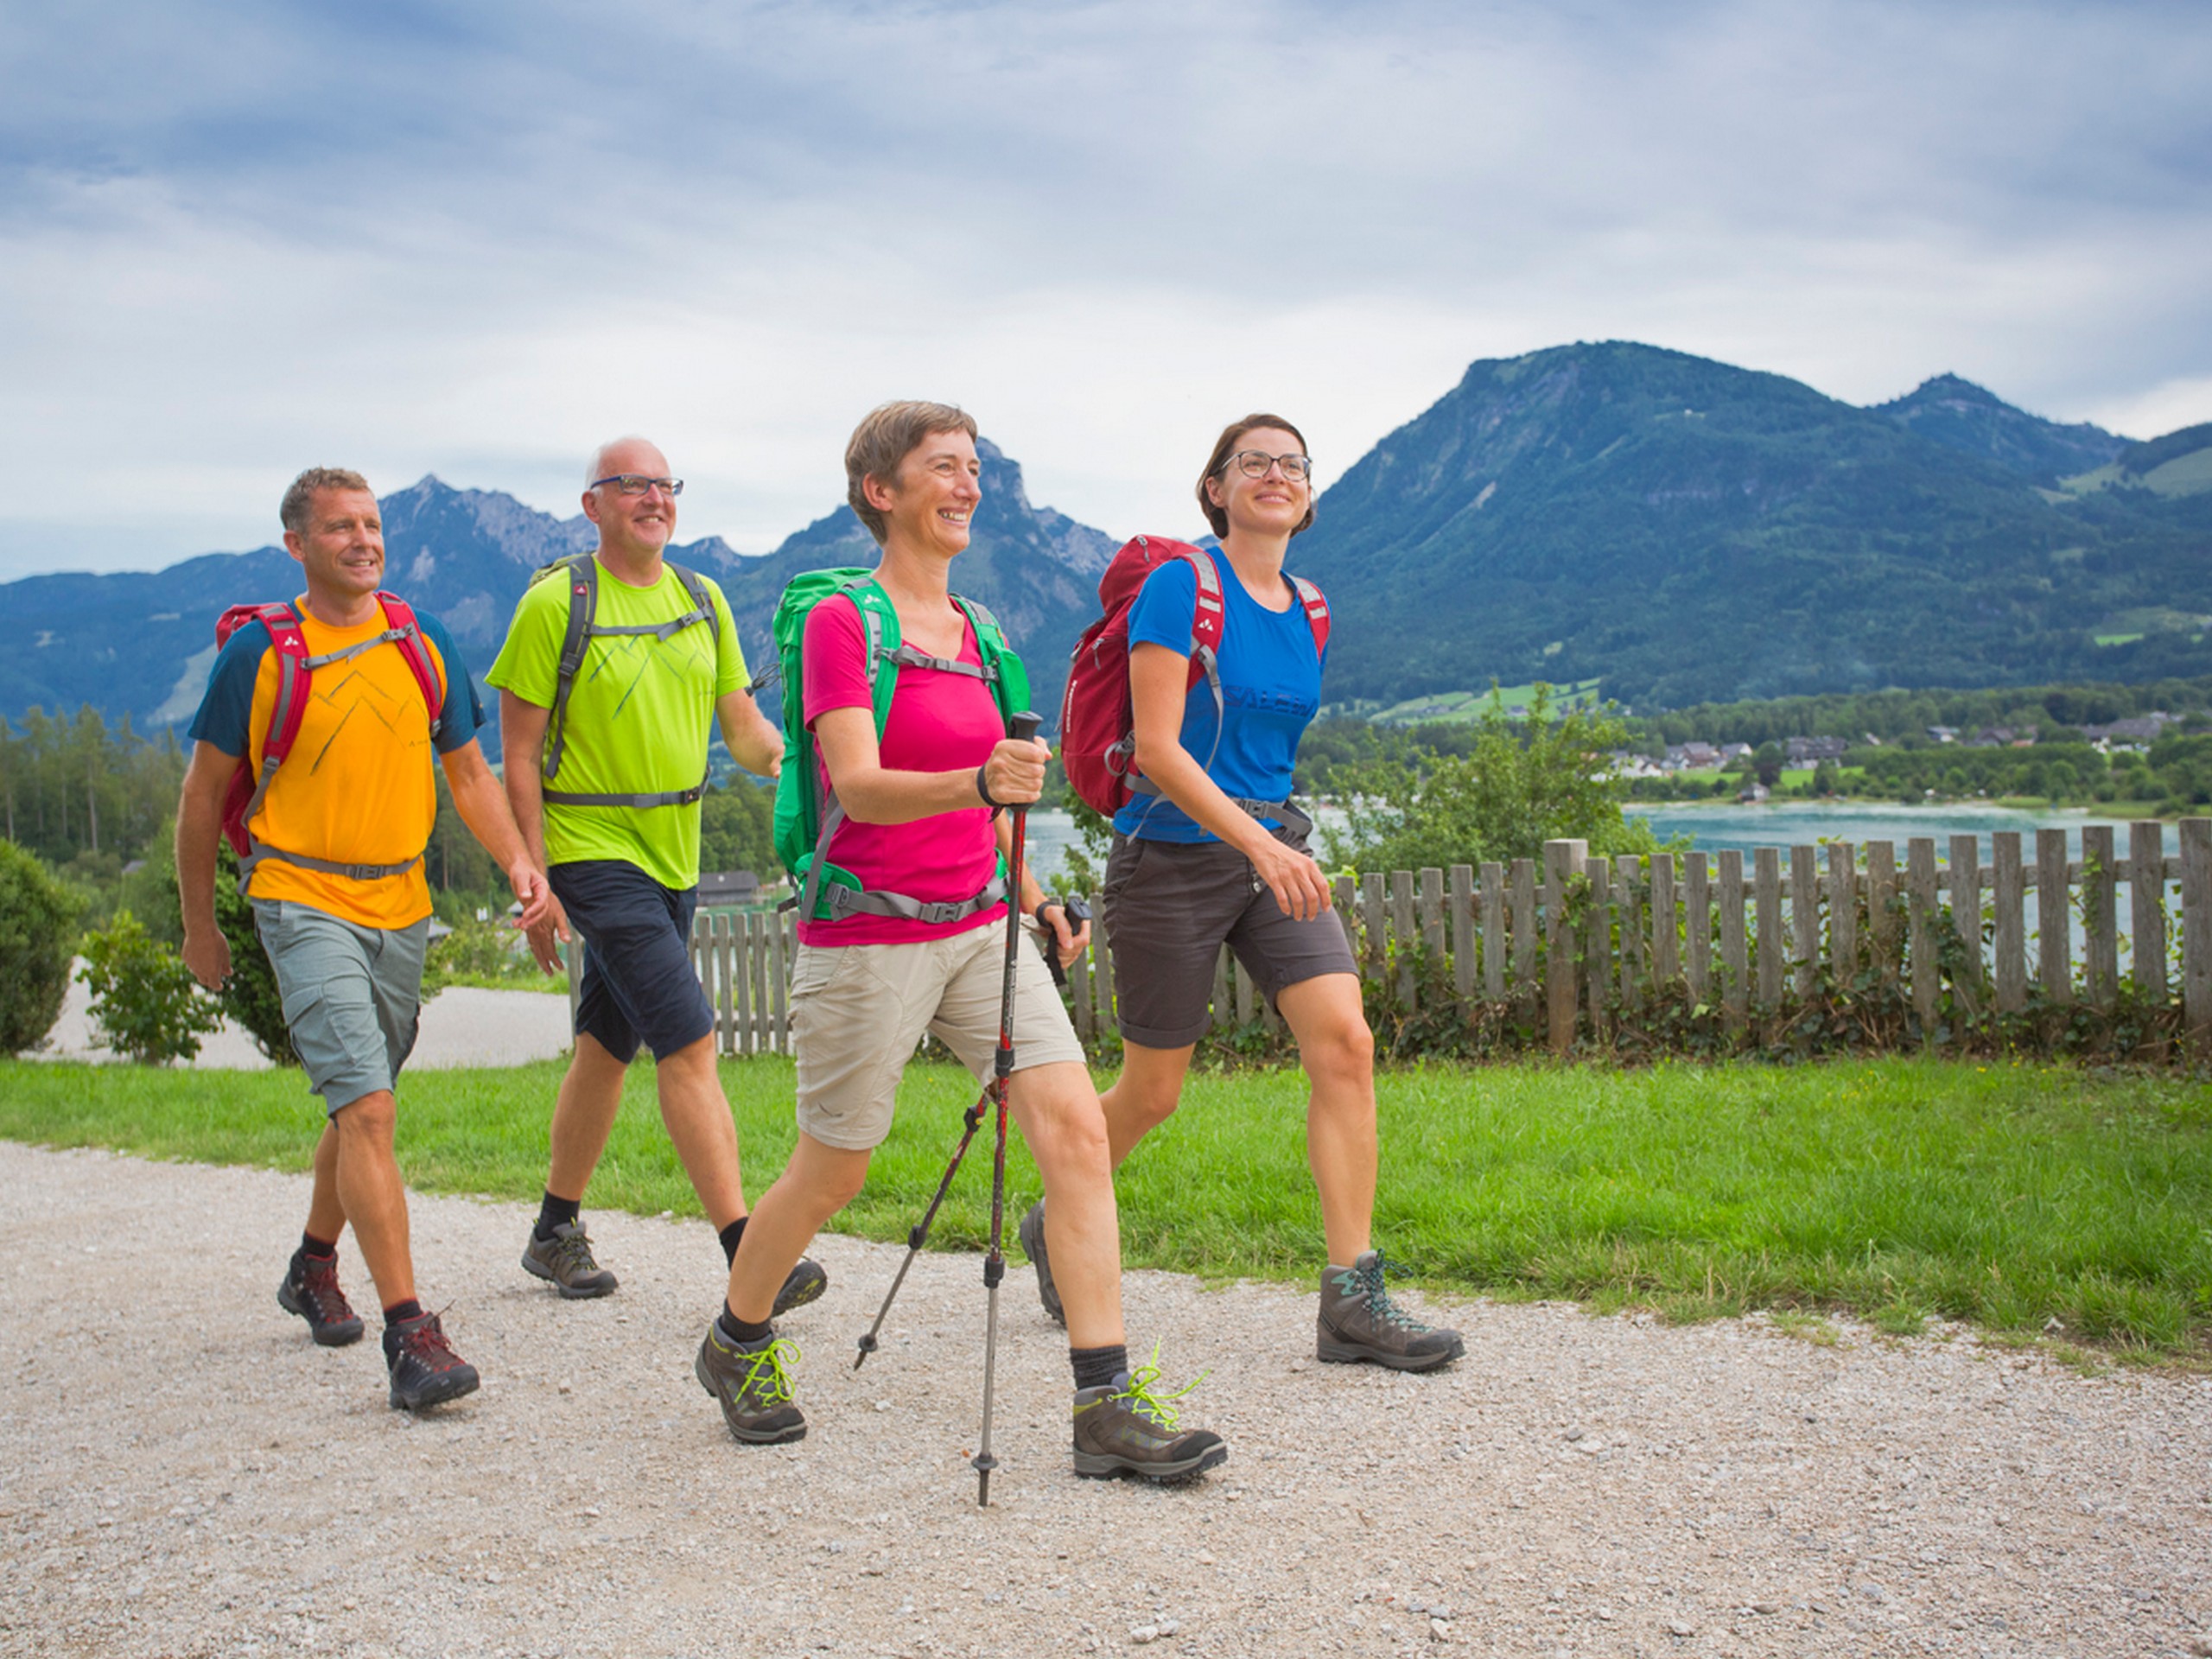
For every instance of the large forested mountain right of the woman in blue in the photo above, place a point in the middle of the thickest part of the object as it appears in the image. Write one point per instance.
(1684, 530)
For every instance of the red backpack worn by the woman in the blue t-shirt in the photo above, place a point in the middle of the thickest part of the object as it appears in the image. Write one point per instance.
(1096, 724)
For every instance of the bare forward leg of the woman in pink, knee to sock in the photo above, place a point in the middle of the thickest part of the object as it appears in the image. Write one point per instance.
(1067, 1136)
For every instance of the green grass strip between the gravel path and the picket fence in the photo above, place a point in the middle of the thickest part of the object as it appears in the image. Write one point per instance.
(1890, 1189)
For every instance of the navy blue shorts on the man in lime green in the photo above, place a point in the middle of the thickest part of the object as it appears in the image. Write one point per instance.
(638, 983)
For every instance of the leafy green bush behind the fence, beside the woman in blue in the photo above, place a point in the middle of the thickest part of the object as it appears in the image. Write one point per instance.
(1523, 784)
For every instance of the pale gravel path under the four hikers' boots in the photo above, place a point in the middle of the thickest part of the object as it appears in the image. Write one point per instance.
(185, 1474)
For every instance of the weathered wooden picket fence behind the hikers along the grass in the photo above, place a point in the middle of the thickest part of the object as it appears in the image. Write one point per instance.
(1574, 941)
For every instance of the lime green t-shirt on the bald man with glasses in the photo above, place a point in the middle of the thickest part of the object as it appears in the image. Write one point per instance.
(640, 718)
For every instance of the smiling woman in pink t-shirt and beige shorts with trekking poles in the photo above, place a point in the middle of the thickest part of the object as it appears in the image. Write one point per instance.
(921, 820)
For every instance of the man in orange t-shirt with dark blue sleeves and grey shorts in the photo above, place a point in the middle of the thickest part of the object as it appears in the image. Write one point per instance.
(340, 893)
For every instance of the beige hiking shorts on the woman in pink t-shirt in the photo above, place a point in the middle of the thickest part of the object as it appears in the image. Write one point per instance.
(859, 1014)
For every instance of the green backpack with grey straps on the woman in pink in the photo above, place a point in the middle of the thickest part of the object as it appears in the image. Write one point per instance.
(806, 817)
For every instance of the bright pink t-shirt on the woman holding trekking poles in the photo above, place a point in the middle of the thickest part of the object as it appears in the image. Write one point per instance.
(939, 724)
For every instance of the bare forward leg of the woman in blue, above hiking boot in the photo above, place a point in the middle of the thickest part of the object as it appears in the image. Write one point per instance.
(1339, 1056)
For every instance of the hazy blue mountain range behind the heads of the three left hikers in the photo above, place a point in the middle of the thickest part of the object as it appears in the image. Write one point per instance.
(143, 643)
